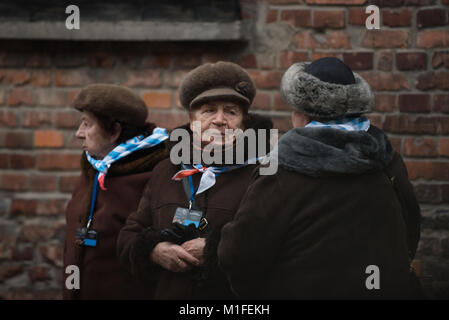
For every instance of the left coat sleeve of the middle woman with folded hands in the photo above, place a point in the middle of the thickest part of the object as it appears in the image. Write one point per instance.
(137, 239)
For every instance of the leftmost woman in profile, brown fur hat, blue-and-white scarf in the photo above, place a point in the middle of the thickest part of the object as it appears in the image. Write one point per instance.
(121, 149)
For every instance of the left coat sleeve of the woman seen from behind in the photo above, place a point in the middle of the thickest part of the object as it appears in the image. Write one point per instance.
(249, 244)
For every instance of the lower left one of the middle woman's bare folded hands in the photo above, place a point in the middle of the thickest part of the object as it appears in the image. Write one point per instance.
(173, 257)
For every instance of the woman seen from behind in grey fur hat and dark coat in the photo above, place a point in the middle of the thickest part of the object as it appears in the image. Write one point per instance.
(339, 219)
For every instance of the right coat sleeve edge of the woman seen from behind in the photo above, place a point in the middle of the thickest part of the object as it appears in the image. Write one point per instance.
(410, 207)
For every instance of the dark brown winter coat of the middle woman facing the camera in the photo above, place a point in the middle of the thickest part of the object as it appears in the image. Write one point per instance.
(141, 234)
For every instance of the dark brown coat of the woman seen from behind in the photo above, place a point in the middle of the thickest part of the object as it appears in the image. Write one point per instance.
(298, 236)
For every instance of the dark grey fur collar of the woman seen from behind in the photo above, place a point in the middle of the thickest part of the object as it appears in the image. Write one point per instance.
(320, 152)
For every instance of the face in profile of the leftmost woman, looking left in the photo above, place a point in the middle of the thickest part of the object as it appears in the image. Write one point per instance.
(94, 138)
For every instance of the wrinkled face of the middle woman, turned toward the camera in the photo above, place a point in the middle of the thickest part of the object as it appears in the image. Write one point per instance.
(218, 115)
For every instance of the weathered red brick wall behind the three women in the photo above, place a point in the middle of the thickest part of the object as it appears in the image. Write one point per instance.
(406, 62)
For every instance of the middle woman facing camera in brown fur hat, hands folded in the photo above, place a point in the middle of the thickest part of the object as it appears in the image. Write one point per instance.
(170, 242)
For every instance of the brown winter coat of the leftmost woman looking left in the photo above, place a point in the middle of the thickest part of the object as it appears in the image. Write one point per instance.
(101, 275)
